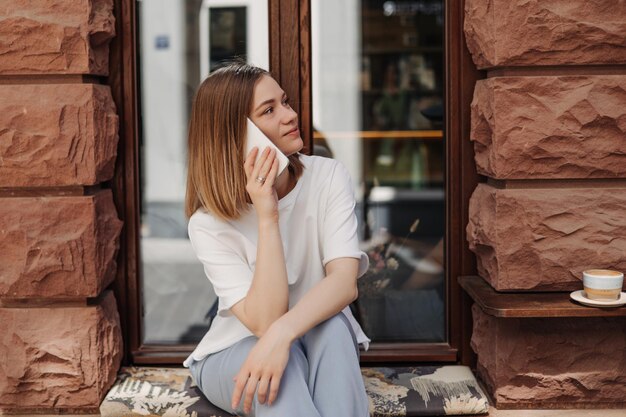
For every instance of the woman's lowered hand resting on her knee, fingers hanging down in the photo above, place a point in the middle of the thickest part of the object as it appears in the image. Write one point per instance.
(264, 366)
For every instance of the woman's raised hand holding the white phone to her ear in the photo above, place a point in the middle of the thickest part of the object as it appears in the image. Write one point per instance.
(260, 186)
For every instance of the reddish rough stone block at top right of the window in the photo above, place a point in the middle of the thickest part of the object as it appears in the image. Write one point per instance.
(545, 32)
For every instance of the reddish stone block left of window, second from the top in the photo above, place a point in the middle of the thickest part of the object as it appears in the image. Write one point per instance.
(57, 135)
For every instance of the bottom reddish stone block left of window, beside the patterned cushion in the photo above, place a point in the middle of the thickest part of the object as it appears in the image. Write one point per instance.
(59, 358)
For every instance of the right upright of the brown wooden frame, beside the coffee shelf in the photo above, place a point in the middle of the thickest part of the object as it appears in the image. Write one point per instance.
(461, 179)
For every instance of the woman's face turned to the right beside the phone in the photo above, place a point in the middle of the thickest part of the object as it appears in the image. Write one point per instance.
(272, 113)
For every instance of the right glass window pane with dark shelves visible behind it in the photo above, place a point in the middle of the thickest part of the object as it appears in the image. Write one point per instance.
(378, 107)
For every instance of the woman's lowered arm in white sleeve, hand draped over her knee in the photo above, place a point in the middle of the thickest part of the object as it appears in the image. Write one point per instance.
(266, 362)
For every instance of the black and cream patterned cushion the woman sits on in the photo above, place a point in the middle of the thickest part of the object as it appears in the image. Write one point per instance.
(409, 391)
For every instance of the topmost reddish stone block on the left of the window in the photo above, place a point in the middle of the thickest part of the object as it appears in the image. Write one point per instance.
(55, 36)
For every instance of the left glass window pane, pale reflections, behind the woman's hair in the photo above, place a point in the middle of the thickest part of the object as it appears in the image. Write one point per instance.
(180, 42)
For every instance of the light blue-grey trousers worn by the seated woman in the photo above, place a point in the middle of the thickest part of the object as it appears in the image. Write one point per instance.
(322, 377)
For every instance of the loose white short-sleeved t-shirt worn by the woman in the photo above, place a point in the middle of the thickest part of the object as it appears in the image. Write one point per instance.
(317, 224)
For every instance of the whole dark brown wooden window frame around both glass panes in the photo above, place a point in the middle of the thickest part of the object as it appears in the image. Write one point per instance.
(290, 53)
